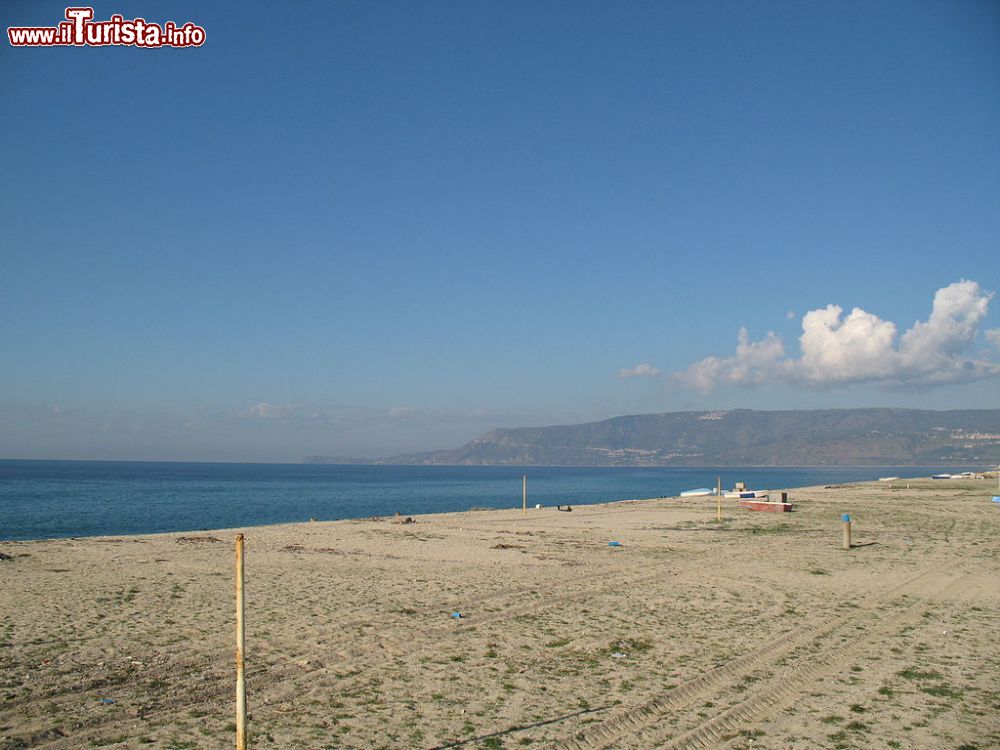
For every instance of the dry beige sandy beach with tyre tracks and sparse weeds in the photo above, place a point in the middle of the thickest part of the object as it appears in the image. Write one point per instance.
(759, 631)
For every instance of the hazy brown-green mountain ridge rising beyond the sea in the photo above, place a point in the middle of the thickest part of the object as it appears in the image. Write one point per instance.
(742, 437)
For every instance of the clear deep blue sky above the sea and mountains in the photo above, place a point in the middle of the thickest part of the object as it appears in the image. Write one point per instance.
(369, 227)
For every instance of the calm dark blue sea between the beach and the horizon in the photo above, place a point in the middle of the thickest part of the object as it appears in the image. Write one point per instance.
(44, 499)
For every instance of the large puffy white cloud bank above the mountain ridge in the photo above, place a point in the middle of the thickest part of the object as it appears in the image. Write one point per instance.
(861, 348)
